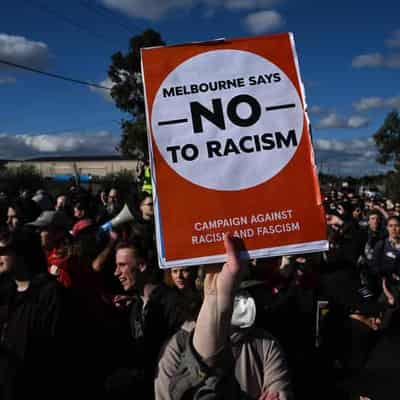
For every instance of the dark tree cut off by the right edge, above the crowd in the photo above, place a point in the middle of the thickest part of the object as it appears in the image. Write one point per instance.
(387, 140)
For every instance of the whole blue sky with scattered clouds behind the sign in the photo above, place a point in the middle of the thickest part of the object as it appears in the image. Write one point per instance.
(349, 53)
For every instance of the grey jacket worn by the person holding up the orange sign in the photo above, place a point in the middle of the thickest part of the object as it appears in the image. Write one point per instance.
(258, 365)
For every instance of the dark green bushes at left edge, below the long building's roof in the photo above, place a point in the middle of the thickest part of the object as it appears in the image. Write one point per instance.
(23, 177)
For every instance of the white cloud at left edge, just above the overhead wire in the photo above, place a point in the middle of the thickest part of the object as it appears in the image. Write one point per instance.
(20, 50)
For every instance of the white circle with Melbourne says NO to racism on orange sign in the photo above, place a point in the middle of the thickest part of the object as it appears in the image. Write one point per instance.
(220, 141)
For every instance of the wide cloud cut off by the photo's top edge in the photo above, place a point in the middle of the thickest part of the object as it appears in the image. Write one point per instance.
(156, 9)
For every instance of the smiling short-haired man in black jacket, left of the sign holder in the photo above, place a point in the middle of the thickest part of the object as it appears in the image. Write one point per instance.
(151, 310)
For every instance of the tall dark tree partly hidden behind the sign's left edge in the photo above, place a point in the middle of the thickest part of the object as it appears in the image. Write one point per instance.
(128, 93)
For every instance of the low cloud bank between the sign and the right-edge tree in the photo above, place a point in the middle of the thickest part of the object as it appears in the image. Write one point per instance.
(354, 157)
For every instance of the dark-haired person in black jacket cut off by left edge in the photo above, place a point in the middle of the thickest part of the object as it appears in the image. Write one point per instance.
(30, 311)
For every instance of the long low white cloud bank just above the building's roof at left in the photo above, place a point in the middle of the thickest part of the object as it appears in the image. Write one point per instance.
(69, 143)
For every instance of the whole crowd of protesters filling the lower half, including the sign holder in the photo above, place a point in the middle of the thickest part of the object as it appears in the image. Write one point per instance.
(88, 312)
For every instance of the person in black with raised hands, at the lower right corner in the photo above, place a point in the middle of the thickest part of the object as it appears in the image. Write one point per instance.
(355, 324)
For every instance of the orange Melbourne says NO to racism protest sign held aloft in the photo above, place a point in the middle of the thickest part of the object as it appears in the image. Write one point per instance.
(230, 150)
